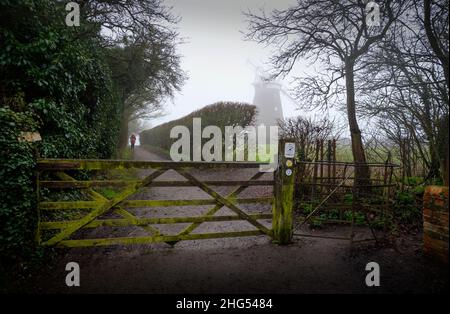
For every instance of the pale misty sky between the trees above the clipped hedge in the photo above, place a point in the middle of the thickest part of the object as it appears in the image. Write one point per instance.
(215, 54)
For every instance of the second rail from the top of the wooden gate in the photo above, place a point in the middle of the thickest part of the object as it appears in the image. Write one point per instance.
(102, 183)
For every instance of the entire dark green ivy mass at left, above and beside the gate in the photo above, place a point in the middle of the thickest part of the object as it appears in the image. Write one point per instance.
(54, 81)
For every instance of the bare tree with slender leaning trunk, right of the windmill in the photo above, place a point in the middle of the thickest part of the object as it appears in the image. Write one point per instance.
(335, 33)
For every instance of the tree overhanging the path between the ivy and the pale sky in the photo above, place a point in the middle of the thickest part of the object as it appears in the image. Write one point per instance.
(140, 38)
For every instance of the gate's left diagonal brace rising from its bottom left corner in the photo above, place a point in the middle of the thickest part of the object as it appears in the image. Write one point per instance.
(102, 209)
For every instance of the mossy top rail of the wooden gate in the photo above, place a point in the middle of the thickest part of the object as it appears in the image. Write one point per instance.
(107, 164)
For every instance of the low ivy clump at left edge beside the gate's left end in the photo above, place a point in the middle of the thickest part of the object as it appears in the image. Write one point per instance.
(17, 214)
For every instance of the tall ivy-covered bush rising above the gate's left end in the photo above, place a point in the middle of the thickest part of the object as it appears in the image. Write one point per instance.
(64, 81)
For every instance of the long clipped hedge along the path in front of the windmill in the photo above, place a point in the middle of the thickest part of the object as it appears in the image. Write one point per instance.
(220, 114)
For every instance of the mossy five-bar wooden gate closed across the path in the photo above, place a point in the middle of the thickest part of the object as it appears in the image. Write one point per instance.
(99, 205)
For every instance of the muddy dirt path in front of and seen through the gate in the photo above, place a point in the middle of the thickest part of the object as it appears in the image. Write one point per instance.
(239, 265)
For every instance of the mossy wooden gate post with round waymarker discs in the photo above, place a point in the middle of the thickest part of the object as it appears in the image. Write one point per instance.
(282, 221)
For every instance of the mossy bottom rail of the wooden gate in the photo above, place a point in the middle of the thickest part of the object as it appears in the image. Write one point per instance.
(155, 239)
